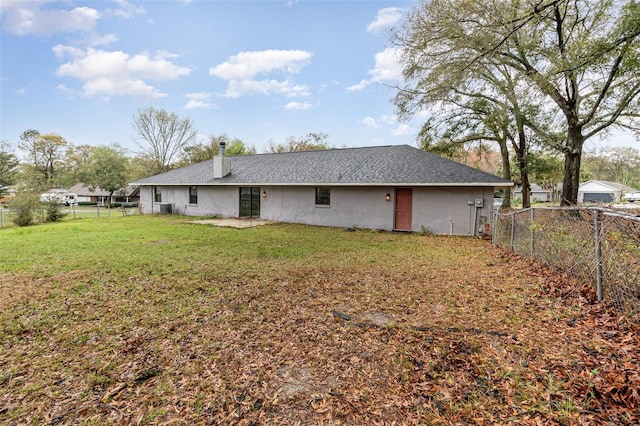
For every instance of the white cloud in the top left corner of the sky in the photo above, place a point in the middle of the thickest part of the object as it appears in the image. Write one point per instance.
(30, 17)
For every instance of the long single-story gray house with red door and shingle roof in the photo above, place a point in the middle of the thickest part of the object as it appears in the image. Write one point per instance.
(385, 187)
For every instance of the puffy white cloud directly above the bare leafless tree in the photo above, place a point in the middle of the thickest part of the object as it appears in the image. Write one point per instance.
(107, 73)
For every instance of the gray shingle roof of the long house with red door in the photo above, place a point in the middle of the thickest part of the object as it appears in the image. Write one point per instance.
(382, 165)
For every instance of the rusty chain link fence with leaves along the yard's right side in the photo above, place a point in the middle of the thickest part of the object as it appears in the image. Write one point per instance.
(593, 245)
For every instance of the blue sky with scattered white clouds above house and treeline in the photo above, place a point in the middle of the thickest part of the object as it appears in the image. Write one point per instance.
(258, 71)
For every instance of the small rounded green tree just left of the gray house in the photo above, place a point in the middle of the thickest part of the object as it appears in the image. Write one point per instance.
(108, 168)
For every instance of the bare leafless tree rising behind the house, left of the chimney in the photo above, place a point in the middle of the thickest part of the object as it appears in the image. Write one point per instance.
(161, 136)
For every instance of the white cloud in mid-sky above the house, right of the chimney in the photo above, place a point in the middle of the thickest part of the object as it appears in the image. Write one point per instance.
(241, 71)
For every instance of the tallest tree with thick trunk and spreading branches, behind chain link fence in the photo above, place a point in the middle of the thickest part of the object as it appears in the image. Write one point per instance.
(581, 56)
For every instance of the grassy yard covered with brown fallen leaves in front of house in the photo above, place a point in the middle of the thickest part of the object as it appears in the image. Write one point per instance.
(150, 320)
